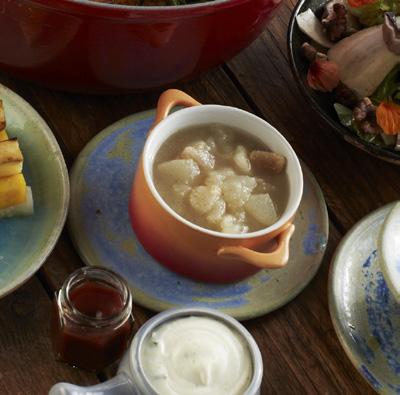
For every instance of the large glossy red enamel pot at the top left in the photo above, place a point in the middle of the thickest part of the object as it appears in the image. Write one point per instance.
(80, 45)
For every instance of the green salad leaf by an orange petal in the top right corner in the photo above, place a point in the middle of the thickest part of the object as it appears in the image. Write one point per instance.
(373, 14)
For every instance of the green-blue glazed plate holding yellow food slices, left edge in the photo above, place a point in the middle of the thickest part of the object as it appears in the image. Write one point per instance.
(26, 242)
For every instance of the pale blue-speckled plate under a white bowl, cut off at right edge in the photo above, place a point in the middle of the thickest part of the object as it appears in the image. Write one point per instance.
(365, 315)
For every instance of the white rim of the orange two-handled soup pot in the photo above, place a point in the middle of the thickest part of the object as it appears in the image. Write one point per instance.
(286, 216)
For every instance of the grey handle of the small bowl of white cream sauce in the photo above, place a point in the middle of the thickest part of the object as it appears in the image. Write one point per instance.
(119, 385)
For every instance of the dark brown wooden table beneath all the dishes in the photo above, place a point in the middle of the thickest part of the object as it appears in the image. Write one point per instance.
(301, 352)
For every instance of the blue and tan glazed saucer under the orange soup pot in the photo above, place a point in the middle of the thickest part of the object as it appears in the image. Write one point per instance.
(99, 225)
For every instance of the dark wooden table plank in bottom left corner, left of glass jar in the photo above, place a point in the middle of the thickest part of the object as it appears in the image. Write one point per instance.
(27, 364)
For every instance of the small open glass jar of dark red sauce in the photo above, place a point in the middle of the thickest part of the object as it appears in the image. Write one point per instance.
(92, 320)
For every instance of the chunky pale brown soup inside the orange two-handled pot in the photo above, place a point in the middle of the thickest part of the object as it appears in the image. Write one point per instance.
(221, 178)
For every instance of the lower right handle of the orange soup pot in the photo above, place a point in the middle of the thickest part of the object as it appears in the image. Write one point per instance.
(264, 260)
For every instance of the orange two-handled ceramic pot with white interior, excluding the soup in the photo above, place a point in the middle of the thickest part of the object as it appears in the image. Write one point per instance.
(187, 248)
